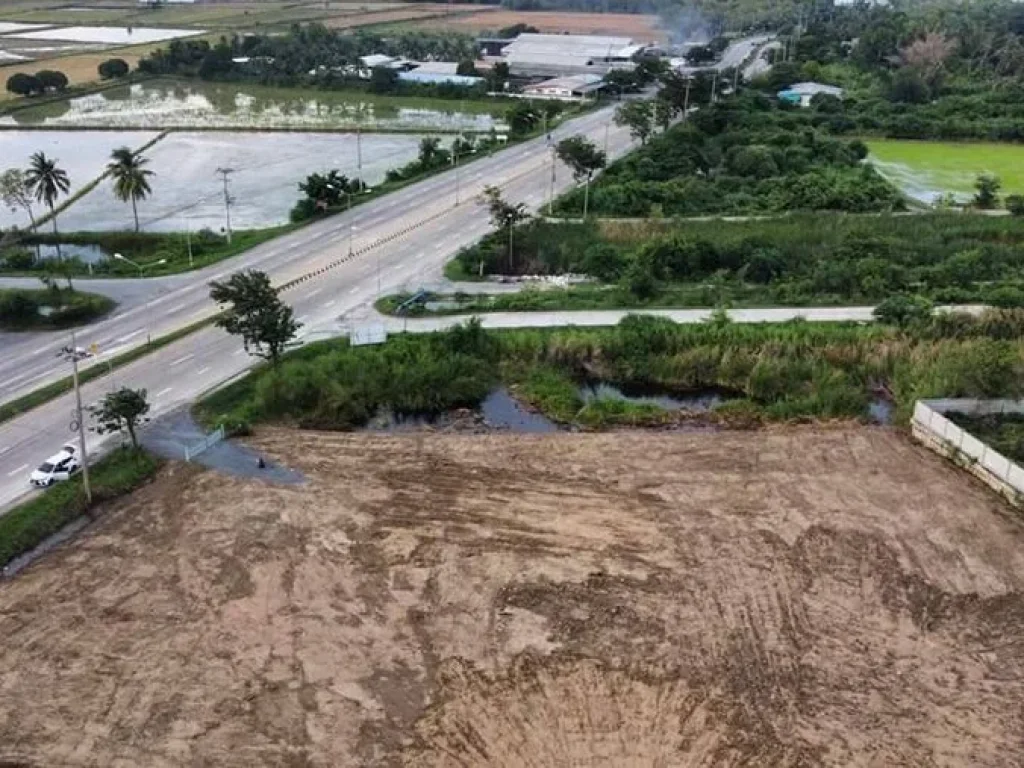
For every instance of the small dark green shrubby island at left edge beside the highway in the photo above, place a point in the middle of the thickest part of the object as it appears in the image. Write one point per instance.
(50, 309)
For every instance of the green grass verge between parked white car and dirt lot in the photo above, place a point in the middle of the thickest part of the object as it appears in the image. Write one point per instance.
(29, 525)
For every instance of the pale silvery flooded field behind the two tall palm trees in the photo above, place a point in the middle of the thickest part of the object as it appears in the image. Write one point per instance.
(187, 192)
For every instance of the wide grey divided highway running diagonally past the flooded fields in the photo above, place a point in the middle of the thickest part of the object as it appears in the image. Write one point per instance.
(400, 241)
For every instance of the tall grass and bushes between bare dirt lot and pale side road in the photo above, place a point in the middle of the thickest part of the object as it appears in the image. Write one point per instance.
(790, 371)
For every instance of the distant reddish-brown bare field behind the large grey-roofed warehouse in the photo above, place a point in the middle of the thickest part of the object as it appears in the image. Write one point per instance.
(643, 28)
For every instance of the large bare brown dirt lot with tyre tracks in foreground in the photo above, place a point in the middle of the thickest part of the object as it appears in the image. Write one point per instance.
(788, 599)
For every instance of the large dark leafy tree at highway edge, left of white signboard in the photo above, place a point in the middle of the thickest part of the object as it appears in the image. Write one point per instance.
(257, 314)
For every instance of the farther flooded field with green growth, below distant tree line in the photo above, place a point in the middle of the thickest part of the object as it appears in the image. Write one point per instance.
(173, 104)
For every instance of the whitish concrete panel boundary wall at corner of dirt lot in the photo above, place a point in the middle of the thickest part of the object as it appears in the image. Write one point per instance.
(937, 433)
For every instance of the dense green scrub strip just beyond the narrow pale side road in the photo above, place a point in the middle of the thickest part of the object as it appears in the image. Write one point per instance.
(798, 261)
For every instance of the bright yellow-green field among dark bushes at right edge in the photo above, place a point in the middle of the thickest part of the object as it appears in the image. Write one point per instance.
(927, 169)
